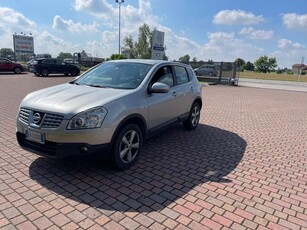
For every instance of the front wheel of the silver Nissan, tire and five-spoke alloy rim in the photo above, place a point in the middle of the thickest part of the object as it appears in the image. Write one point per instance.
(127, 147)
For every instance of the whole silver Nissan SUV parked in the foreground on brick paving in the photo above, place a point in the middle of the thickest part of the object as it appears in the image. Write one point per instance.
(109, 110)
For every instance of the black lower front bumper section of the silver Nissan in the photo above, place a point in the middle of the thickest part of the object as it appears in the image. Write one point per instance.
(62, 150)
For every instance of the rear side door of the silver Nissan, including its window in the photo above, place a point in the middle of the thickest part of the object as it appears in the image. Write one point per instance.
(184, 90)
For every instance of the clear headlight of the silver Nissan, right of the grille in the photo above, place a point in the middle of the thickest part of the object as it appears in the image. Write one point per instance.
(88, 119)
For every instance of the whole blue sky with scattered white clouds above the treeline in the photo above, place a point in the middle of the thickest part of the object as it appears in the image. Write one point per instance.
(220, 30)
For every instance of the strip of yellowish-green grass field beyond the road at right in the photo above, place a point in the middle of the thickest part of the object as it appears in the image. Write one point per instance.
(273, 76)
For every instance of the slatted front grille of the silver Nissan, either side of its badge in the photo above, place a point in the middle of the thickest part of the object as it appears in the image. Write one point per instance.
(49, 120)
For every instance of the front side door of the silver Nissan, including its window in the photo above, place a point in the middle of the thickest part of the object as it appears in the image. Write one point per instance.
(162, 107)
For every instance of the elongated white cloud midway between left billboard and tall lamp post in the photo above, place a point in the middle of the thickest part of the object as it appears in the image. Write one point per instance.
(69, 25)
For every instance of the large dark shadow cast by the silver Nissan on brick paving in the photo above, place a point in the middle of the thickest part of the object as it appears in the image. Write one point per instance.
(171, 165)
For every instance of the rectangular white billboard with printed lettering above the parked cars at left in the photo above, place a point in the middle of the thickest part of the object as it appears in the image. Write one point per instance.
(23, 44)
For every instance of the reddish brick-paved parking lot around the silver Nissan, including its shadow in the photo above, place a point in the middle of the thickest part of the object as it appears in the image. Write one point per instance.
(244, 167)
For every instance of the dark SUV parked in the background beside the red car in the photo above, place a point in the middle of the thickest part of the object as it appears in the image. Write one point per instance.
(46, 66)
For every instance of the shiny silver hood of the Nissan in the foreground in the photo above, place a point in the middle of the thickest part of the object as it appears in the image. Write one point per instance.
(70, 99)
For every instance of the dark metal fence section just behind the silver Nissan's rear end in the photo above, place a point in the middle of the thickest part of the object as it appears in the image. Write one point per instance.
(216, 72)
